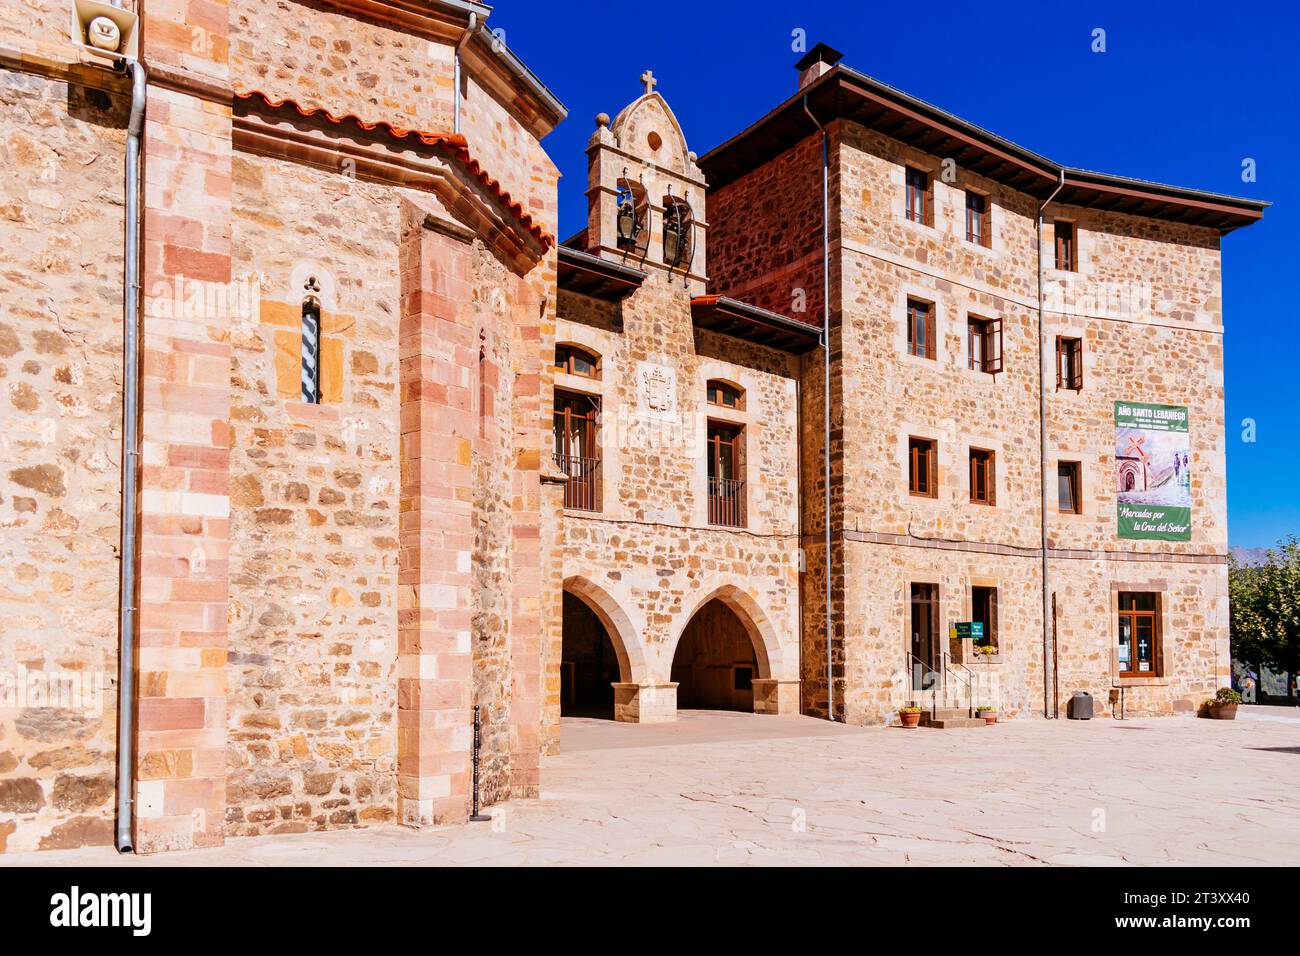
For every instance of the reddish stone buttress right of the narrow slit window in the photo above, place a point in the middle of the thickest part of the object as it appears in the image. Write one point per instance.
(439, 357)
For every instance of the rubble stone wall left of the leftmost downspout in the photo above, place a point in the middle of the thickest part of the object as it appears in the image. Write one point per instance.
(60, 457)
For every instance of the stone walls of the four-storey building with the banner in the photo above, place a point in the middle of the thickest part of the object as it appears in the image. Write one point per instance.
(1146, 301)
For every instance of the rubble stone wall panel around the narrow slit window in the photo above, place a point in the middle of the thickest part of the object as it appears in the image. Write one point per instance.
(314, 507)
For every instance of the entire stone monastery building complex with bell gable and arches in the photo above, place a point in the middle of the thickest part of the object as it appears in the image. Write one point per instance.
(391, 453)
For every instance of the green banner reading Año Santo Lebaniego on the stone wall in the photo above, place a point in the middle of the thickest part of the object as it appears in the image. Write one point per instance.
(1154, 483)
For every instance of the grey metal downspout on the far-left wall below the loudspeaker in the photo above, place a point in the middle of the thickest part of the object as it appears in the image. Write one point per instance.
(131, 465)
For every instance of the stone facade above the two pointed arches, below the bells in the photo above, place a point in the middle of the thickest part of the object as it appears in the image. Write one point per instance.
(649, 560)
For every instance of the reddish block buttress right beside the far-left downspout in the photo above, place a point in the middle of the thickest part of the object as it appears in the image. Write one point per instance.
(185, 449)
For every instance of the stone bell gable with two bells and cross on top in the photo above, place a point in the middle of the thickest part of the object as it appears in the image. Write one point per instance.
(645, 193)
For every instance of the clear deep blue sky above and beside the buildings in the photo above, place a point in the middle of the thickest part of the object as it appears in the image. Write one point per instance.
(1180, 97)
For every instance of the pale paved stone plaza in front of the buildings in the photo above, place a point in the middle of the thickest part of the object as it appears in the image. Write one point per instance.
(740, 789)
